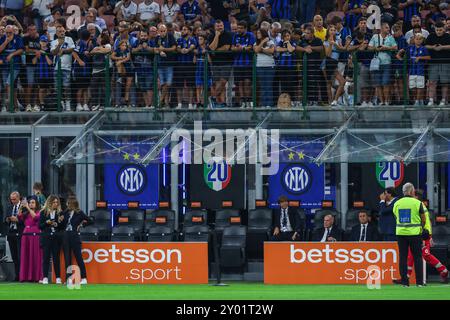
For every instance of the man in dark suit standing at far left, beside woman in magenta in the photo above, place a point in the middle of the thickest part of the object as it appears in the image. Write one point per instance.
(14, 229)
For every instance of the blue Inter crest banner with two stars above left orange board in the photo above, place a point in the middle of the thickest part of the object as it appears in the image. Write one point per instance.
(126, 180)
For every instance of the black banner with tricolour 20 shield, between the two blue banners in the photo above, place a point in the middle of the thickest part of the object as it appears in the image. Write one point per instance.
(216, 181)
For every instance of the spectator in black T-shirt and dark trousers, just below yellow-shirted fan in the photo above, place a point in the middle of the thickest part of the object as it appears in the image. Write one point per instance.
(313, 47)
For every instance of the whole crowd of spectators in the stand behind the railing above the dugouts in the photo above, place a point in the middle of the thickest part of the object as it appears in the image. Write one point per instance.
(180, 49)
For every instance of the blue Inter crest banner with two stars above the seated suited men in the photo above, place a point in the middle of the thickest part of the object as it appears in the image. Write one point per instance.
(298, 177)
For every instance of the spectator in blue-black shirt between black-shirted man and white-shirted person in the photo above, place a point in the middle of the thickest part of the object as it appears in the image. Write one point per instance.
(242, 47)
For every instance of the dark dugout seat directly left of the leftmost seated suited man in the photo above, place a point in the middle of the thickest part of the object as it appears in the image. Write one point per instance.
(259, 226)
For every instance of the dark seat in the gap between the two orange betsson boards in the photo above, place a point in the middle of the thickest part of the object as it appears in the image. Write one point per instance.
(232, 249)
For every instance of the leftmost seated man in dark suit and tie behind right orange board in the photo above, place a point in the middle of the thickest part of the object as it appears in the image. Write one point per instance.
(286, 222)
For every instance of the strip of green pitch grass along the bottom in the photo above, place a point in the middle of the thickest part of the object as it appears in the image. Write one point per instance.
(235, 291)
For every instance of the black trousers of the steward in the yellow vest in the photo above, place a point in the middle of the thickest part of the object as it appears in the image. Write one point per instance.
(415, 243)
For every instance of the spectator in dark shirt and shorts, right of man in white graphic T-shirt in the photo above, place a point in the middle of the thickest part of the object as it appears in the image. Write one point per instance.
(82, 70)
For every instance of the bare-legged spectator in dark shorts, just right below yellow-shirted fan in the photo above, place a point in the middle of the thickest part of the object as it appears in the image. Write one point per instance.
(332, 47)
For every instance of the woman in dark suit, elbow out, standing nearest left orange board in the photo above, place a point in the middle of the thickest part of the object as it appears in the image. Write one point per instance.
(72, 221)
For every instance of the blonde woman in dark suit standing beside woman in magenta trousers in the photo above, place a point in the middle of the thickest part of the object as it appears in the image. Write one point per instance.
(49, 223)
